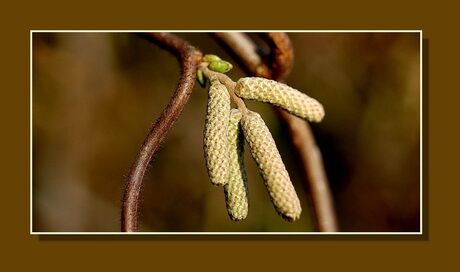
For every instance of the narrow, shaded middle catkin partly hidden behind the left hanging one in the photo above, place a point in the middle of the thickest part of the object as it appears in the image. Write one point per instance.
(236, 191)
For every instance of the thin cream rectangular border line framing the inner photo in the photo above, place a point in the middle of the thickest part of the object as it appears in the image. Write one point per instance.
(225, 233)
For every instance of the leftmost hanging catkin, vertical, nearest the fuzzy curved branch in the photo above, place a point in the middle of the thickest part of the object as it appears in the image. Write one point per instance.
(215, 133)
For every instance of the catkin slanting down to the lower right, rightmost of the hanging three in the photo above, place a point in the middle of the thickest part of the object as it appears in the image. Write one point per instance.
(271, 166)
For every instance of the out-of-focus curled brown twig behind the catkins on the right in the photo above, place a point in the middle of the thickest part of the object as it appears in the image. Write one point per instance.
(299, 130)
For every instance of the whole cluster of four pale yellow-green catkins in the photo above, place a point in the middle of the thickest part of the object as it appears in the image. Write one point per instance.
(224, 135)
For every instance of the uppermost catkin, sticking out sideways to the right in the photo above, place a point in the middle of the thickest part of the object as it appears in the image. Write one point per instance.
(281, 95)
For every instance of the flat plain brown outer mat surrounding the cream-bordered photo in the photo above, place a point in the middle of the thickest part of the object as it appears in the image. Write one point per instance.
(167, 253)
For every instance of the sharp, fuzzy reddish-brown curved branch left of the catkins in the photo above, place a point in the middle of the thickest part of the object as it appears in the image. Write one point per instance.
(189, 58)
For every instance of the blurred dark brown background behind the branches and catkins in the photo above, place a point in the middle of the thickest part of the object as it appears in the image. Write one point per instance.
(95, 96)
